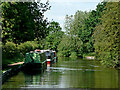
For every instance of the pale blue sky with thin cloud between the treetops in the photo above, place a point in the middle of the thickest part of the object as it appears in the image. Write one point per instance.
(60, 8)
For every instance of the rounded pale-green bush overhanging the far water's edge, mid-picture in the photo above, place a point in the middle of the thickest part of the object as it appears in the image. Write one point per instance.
(69, 44)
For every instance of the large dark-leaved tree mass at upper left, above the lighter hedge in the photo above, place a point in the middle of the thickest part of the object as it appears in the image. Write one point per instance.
(23, 21)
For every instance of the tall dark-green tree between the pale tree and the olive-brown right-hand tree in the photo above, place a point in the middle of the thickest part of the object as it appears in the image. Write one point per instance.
(87, 29)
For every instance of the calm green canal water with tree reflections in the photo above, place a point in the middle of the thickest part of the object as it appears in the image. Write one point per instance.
(67, 73)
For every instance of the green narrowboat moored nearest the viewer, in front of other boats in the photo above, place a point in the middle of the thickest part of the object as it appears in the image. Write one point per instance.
(35, 60)
